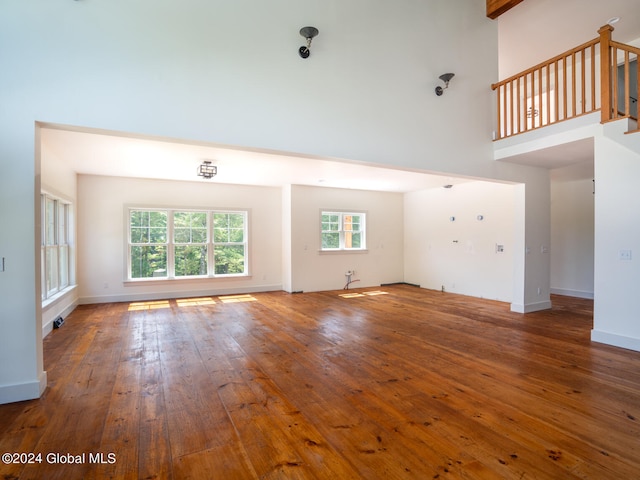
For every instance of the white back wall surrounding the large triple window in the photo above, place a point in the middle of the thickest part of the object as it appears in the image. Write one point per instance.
(102, 236)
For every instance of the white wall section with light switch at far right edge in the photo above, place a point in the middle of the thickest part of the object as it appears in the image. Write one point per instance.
(617, 219)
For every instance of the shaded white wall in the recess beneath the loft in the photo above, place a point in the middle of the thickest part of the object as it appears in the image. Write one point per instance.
(572, 230)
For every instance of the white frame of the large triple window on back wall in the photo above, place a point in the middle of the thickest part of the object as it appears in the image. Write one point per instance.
(172, 243)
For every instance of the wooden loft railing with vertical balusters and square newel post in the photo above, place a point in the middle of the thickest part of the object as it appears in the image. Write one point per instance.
(580, 81)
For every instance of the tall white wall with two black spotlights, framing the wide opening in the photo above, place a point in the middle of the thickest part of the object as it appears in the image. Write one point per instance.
(229, 73)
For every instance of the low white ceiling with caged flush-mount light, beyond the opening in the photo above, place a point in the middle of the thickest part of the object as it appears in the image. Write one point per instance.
(89, 152)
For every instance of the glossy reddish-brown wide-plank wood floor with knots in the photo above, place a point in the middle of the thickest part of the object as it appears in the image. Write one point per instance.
(390, 383)
